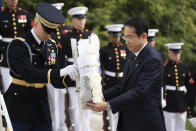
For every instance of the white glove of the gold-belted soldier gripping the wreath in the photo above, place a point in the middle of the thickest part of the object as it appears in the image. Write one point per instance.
(71, 70)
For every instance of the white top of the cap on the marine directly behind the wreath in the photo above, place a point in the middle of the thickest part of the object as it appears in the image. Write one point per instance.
(77, 11)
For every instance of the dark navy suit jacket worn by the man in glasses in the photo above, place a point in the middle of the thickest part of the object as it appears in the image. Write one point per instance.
(138, 98)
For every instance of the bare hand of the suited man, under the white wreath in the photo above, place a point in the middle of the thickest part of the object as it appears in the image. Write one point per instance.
(96, 107)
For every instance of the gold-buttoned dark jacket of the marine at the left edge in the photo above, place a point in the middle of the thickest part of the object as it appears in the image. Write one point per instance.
(14, 24)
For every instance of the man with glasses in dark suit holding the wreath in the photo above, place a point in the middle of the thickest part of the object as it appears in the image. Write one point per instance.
(138, 98)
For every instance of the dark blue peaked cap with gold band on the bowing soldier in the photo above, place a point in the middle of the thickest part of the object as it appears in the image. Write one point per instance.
(49, 17)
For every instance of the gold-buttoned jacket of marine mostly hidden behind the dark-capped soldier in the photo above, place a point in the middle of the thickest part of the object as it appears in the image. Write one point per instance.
(61, 31)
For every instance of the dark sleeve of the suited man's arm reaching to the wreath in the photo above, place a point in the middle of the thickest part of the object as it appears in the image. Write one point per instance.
(149, 74)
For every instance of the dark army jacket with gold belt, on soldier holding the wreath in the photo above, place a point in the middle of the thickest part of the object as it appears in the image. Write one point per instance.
(27, 101)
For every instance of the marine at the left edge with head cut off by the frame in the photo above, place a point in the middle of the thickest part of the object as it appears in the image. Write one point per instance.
(15, 22)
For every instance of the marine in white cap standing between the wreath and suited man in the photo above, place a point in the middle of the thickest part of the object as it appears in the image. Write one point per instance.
(113, 58)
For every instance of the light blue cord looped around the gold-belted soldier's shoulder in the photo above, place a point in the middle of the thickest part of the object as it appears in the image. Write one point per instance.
(29, 51)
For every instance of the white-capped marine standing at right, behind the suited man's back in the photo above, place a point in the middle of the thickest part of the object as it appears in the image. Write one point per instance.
(176, 75)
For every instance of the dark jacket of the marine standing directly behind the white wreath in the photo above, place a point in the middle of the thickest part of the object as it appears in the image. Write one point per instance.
(66, 41)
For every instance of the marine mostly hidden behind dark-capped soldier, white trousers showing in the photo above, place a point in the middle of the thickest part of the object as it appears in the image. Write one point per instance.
(56, 96)
